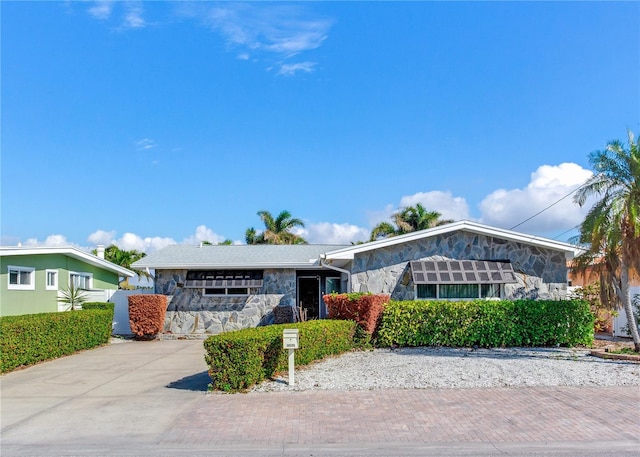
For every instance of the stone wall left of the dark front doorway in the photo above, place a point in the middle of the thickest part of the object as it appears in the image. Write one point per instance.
(190, 312)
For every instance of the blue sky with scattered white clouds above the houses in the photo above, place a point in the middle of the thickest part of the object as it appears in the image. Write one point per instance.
(150, 123)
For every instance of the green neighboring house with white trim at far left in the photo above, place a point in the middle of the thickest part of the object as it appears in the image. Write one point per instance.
(32, 277)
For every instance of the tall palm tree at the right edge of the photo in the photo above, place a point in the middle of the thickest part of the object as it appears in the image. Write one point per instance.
(611, 229)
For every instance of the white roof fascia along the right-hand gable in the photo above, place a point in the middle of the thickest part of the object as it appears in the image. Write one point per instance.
(468, 226)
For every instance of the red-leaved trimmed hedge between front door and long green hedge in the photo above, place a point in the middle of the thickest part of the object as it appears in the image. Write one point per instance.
(365, 309)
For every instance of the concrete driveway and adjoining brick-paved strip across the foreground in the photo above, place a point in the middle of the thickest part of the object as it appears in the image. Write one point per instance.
(149, 398)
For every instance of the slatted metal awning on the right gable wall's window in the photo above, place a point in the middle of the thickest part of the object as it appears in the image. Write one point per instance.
(462, 272)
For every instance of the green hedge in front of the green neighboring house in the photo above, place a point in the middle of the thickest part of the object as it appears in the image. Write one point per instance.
(33, 338)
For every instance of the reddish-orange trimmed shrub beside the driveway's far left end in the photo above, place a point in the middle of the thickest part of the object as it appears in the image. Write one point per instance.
(146, 314)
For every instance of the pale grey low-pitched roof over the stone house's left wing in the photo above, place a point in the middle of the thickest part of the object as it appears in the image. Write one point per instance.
(236, 256)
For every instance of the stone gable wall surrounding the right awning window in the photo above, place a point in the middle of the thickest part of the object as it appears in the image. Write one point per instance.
(541, 273)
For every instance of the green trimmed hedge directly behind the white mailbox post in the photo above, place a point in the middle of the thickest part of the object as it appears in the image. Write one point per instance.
(238, 360)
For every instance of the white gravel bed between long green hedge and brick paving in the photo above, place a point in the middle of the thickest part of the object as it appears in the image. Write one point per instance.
(423, 368)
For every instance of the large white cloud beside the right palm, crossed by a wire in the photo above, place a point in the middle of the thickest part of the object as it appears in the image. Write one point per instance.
(507, 208)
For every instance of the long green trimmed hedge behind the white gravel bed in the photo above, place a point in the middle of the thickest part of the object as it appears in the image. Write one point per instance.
(486, 323)
